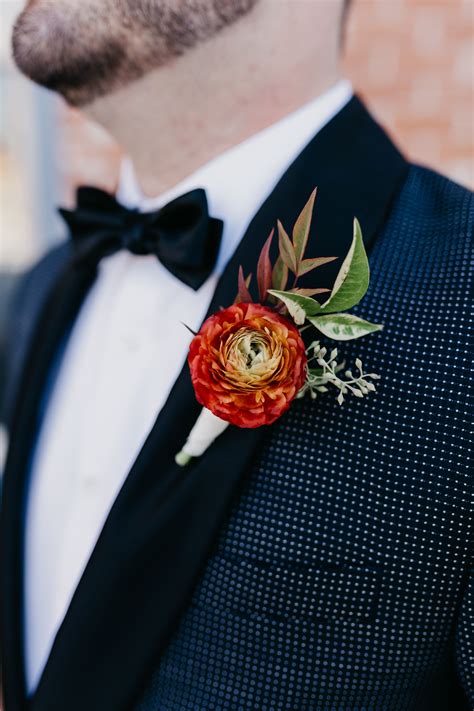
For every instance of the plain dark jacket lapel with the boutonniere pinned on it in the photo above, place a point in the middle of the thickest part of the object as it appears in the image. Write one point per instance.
(164, 521)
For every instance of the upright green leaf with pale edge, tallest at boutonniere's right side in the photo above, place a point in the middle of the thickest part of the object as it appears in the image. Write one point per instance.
(353, 279)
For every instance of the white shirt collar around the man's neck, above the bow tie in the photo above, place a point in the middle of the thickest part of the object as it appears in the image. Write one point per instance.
(239, 180)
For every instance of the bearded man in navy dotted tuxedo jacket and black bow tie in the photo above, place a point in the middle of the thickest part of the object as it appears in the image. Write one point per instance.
(320, 563)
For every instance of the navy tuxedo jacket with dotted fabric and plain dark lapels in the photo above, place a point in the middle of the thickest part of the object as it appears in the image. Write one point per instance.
(321, 563)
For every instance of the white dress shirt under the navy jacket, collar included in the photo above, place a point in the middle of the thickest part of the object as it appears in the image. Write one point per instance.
(119, 367)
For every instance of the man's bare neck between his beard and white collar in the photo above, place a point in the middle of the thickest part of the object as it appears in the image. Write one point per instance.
(181, 116)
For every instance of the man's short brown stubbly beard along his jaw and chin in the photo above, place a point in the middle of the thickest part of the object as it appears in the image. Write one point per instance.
(84, 49)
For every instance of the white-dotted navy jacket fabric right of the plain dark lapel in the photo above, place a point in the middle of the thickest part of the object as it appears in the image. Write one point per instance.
(340, 580)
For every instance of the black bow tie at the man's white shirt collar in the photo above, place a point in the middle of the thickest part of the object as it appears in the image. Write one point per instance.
(182, 235)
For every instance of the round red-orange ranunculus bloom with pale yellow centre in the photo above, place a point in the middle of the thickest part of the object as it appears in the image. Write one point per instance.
(247, 364)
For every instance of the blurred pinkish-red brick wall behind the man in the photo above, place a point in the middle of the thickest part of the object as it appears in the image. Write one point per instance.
(412, 61)
